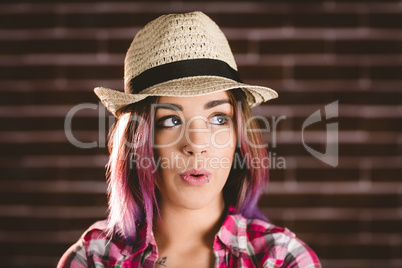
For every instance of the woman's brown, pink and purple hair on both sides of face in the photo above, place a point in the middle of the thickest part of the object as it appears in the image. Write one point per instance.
(132, 195)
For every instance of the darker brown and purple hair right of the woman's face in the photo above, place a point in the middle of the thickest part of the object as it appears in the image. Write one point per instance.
(244, 186)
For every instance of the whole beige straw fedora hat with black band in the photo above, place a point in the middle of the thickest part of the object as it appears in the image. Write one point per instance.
(179, 55)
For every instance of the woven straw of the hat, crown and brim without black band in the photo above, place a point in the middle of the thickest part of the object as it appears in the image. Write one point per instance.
(172, 38)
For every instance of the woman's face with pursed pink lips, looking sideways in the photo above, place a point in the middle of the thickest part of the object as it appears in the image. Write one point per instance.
(194, 144)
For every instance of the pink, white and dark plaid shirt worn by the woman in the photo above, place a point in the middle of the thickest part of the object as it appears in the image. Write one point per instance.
(240, 242)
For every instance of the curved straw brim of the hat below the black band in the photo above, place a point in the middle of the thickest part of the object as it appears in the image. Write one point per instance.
(114, 100)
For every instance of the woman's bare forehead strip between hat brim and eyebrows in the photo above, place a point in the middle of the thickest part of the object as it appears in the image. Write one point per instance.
(195, 100)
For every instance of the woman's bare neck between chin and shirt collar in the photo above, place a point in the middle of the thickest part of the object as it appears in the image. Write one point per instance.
(181, 226)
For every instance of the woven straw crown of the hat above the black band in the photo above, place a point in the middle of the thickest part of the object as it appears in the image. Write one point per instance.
(176, 37)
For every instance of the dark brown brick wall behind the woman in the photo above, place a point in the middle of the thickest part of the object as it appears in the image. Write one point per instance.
(53, 53)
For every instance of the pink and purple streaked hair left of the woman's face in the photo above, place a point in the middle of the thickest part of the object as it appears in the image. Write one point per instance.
(131, 190)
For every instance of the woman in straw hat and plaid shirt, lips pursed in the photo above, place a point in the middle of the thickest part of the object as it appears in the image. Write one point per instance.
(183, 185)
